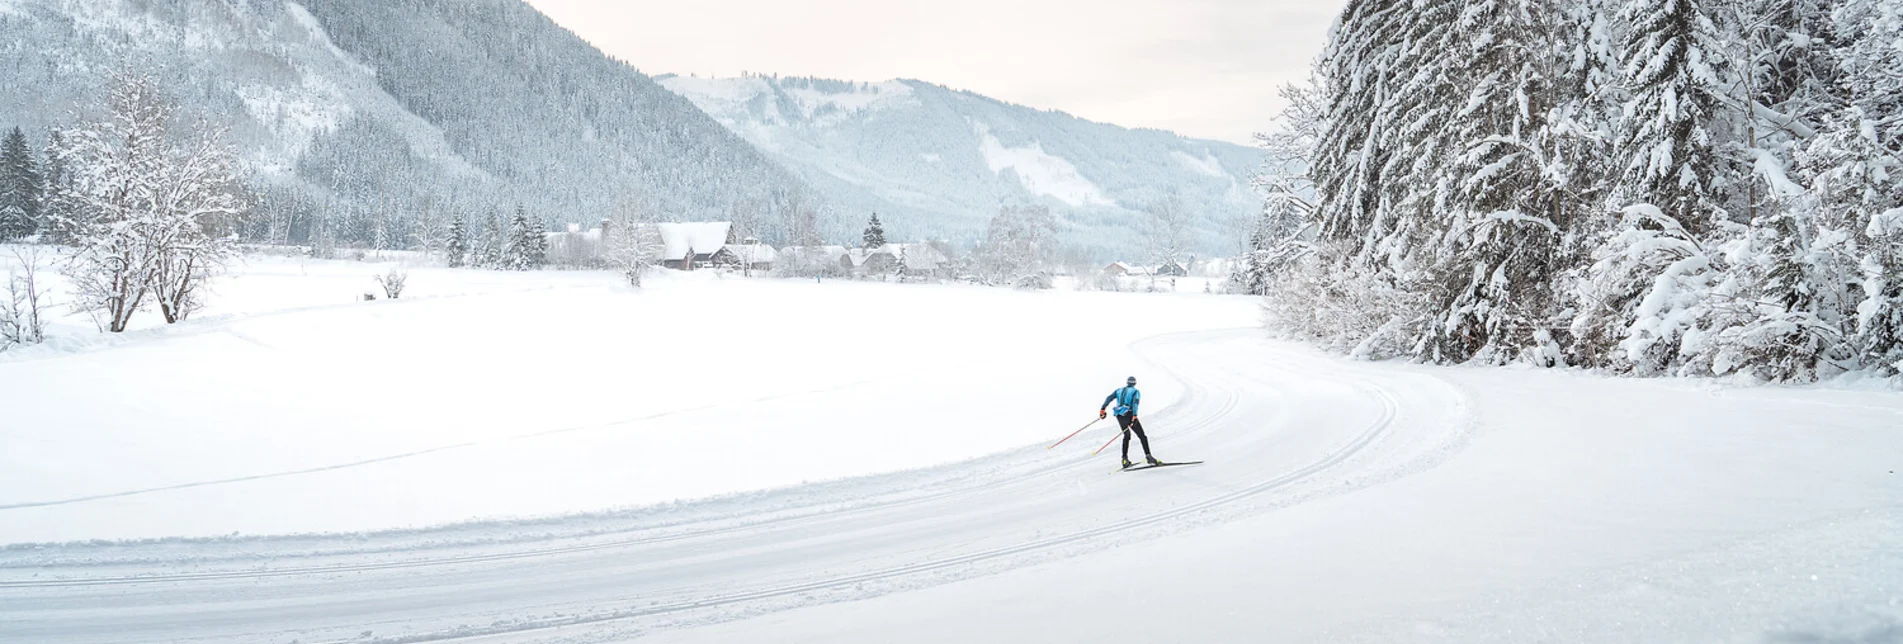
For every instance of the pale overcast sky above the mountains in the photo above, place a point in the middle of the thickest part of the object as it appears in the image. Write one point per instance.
(1200, 68)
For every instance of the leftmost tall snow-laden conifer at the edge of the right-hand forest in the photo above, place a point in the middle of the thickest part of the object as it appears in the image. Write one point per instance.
(1390, 79)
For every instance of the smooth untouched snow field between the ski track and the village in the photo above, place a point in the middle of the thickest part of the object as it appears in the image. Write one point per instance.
(488, 395)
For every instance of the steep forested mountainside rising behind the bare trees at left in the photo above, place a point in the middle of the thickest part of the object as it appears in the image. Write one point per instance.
(359, 117)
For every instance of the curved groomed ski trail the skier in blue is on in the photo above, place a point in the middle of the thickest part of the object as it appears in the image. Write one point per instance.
(1276, 428)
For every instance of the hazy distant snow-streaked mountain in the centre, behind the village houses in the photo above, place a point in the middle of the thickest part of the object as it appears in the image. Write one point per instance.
(939, 163)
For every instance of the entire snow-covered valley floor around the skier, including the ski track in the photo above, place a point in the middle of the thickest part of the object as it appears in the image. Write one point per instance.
(846, 462)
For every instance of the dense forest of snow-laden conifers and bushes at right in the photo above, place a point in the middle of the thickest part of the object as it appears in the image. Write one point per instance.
(1697, 188)
